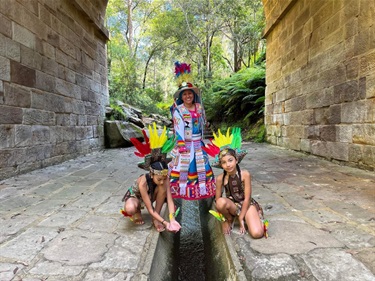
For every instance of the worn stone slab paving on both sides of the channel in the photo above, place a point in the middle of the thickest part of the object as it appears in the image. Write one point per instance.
(63, 222)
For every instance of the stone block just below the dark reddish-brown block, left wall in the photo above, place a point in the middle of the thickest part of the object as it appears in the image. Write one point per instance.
(17, 96)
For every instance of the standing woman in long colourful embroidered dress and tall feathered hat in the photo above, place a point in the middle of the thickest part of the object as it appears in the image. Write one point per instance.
(190, 173)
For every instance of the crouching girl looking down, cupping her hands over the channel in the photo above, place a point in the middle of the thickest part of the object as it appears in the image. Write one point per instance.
(152, 188)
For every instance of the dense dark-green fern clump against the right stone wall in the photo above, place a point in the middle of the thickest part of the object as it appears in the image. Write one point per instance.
(239, 97)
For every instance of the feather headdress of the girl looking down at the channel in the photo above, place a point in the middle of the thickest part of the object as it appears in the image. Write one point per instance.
(155, 147)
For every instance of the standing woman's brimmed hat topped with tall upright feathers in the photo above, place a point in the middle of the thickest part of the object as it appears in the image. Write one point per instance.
(184, 79)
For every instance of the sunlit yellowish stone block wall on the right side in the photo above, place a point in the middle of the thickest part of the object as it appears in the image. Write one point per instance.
(320, 76)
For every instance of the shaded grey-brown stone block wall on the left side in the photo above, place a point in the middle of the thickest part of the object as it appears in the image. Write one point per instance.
(53, 81)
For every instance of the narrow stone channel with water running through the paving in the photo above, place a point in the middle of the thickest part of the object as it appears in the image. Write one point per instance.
(198, 252)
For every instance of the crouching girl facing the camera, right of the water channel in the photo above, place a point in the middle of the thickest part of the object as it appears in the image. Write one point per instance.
(237, 185)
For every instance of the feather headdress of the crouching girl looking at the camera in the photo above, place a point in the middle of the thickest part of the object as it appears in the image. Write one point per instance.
(220, 142)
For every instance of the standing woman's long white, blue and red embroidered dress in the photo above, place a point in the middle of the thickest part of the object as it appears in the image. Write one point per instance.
(190, 173)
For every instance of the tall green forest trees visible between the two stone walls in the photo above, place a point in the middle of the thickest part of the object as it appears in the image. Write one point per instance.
(218, 38)
